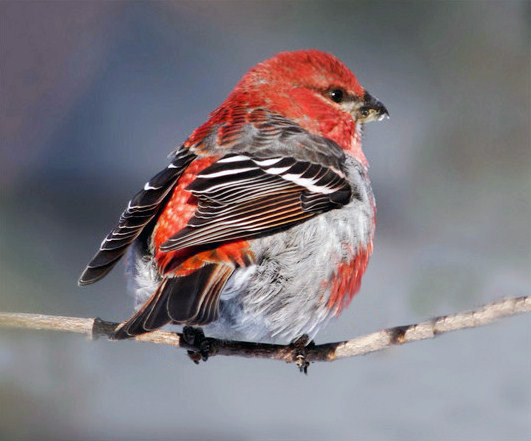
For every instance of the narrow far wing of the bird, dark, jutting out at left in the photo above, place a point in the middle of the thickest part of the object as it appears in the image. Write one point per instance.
(139, 212)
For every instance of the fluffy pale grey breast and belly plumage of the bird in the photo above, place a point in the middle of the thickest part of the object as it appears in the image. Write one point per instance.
(284, 295)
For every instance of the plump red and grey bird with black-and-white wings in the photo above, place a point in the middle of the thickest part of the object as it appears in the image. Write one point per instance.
(261, 226)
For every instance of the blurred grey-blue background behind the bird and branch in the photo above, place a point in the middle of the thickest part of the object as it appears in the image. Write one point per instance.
(94, 95)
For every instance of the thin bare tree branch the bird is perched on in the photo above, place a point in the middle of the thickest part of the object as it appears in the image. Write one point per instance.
(290, 353)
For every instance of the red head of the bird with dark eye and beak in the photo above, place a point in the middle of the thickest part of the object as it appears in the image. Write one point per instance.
(315, 90)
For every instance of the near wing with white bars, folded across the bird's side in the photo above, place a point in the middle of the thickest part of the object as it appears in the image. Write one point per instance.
(241, 196)
